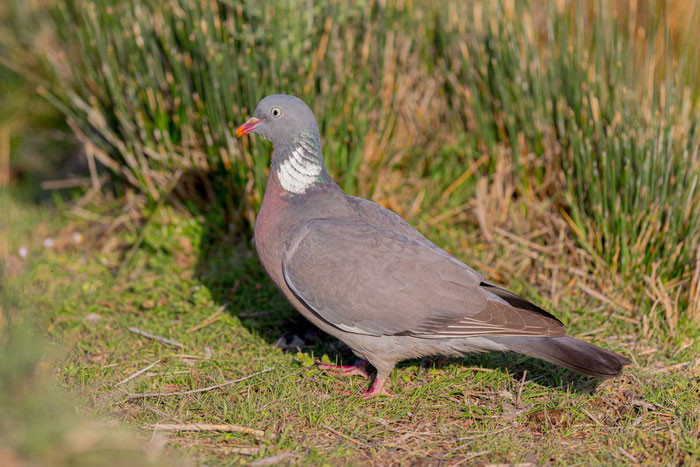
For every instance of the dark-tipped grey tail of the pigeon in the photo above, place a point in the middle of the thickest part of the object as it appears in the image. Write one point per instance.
(568, 352)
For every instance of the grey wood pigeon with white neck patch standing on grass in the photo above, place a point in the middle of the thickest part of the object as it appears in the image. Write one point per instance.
(364, 275)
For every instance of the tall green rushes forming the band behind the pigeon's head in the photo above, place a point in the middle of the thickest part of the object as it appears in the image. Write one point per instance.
(595, 105)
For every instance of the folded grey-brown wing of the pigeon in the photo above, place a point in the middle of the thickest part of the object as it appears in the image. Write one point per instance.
(366, 280)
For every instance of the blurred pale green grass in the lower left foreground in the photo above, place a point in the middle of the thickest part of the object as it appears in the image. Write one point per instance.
(41, 422)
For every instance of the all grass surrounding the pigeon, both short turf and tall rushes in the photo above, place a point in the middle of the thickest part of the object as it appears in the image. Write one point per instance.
(552, 146)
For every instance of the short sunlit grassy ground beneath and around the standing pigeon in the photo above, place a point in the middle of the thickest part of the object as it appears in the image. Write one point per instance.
(203, 288)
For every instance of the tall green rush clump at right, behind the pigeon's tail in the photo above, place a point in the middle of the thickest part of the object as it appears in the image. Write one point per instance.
(621, 130)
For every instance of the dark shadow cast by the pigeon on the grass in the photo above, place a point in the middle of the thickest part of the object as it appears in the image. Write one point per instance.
(228, 266)
